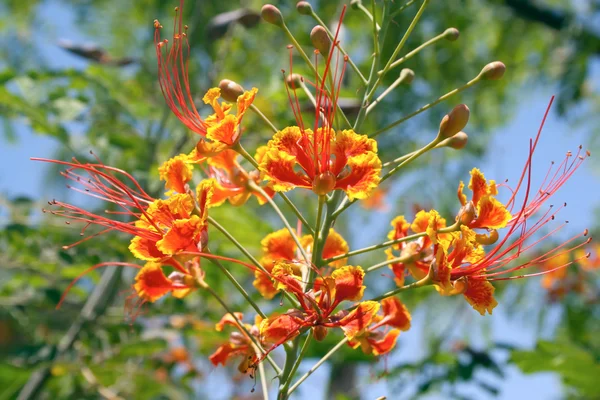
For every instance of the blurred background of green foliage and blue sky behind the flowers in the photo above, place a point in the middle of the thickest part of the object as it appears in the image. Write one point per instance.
(80, 75)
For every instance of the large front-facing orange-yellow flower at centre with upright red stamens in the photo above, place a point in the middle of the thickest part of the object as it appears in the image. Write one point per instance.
(323, 158)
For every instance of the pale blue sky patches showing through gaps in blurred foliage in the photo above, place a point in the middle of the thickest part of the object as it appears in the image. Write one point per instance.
(19, 176)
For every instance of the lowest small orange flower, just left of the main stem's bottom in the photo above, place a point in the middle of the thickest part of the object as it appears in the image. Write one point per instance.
(239, 343)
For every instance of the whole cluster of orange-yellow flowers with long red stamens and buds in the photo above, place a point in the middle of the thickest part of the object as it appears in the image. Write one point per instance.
(491, 237)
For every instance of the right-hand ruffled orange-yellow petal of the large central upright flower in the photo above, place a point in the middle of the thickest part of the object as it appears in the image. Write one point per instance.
(363, 177)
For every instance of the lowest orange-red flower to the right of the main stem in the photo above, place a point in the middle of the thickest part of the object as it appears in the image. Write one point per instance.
(361, 325)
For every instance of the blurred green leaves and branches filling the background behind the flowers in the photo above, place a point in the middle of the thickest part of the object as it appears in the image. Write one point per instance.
(104, 96)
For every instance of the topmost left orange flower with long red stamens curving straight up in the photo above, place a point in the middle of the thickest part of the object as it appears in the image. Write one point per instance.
(222, 128)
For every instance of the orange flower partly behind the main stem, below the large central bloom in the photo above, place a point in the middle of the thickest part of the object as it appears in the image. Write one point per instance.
(279, 246)
